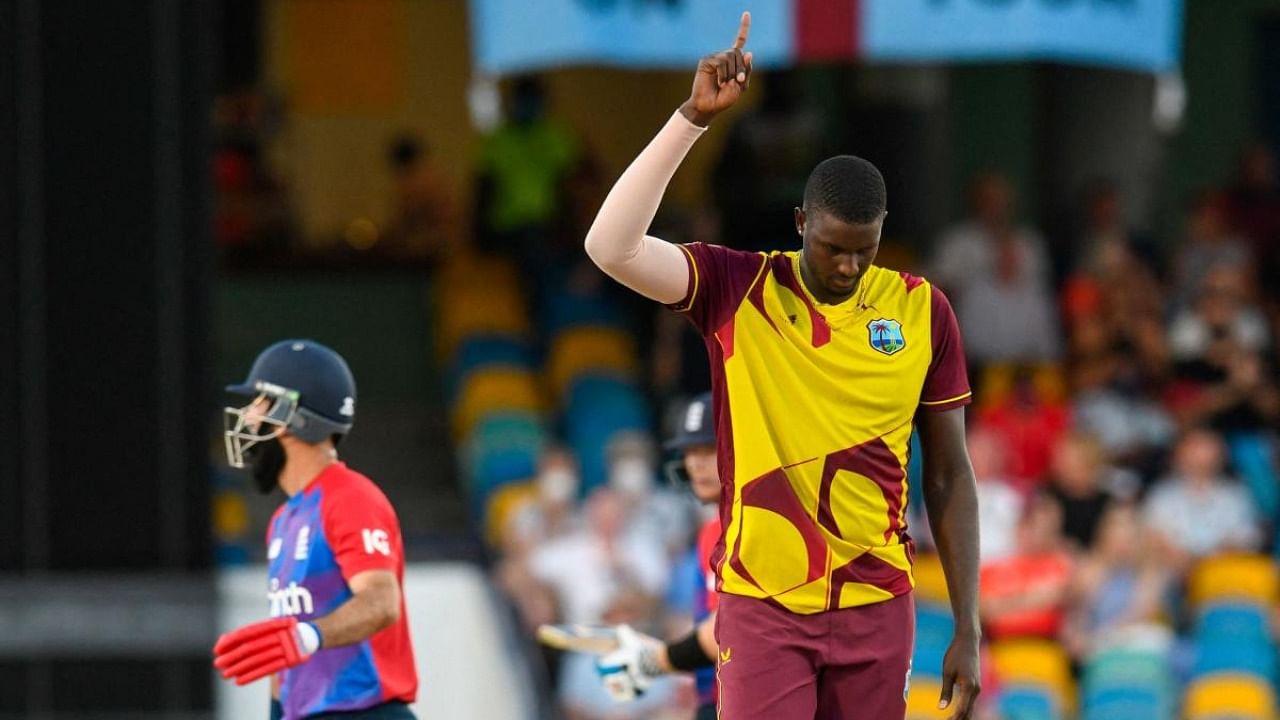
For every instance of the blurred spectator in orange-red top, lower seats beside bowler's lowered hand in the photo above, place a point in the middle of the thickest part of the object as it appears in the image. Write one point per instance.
(1026, 594)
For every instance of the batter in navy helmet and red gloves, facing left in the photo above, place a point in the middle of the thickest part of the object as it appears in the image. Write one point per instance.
(339, 637)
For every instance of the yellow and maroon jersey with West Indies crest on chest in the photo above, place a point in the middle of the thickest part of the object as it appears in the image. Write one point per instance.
(815, 407)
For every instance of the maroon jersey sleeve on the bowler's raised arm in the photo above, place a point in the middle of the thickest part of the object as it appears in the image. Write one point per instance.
(719, 281)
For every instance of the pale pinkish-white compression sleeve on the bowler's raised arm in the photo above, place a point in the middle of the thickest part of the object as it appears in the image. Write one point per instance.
(618, 243)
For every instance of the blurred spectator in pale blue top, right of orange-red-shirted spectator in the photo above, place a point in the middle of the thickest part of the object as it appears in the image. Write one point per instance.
(1118, 587)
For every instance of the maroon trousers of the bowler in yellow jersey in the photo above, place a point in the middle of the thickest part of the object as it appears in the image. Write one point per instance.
(851, 664)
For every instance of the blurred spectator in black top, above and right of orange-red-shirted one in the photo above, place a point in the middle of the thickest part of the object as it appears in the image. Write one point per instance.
(1085, 487)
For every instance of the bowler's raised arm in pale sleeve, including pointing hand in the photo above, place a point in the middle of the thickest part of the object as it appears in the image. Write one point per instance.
(618, 243)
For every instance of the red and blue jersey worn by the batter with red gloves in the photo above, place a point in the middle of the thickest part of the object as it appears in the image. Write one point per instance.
(339, 527)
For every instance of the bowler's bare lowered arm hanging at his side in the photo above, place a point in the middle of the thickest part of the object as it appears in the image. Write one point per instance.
(952, 500)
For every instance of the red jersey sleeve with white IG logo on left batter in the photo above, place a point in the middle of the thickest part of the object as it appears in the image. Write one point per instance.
(363, 531)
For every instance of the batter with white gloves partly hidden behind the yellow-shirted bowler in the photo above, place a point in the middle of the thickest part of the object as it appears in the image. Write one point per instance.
(628, 672)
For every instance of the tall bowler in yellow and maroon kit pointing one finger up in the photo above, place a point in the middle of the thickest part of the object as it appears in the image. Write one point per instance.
(822, 364)
